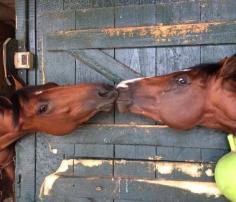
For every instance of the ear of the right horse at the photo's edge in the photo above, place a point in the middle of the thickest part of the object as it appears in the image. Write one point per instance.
(228, 67)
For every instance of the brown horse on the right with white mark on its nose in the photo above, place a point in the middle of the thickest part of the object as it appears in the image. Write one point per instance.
(204, 95)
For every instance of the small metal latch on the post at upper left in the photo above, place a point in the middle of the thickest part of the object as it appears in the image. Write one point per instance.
(23, 60)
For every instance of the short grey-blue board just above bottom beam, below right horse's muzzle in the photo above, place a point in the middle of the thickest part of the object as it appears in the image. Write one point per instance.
(123, 168)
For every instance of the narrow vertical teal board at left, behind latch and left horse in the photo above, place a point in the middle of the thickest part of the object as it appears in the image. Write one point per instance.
(25, 148)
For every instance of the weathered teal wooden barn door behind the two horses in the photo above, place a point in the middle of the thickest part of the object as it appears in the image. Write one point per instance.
(122, 157)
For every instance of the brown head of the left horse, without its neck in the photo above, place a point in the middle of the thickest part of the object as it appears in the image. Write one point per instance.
(59, 110)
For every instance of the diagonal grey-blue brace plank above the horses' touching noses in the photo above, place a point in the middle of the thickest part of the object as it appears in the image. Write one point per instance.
(104, 64)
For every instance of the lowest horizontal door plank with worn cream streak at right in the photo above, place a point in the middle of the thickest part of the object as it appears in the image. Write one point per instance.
(134, 189)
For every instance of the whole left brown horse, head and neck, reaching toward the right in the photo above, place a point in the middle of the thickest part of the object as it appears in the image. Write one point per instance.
(48, 108)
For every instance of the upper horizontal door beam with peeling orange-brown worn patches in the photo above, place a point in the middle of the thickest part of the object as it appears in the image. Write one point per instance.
(218, 32)
